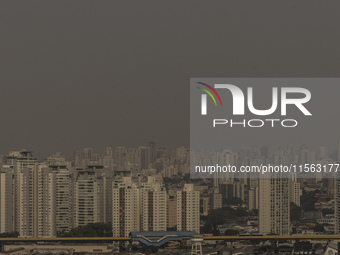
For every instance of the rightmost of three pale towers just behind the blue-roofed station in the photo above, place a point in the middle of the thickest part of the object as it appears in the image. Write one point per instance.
(188, 212)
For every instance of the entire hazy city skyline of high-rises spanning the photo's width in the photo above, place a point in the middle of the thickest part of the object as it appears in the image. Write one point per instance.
(149, 189)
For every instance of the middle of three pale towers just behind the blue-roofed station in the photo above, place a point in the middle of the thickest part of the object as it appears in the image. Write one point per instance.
(154, 206)
